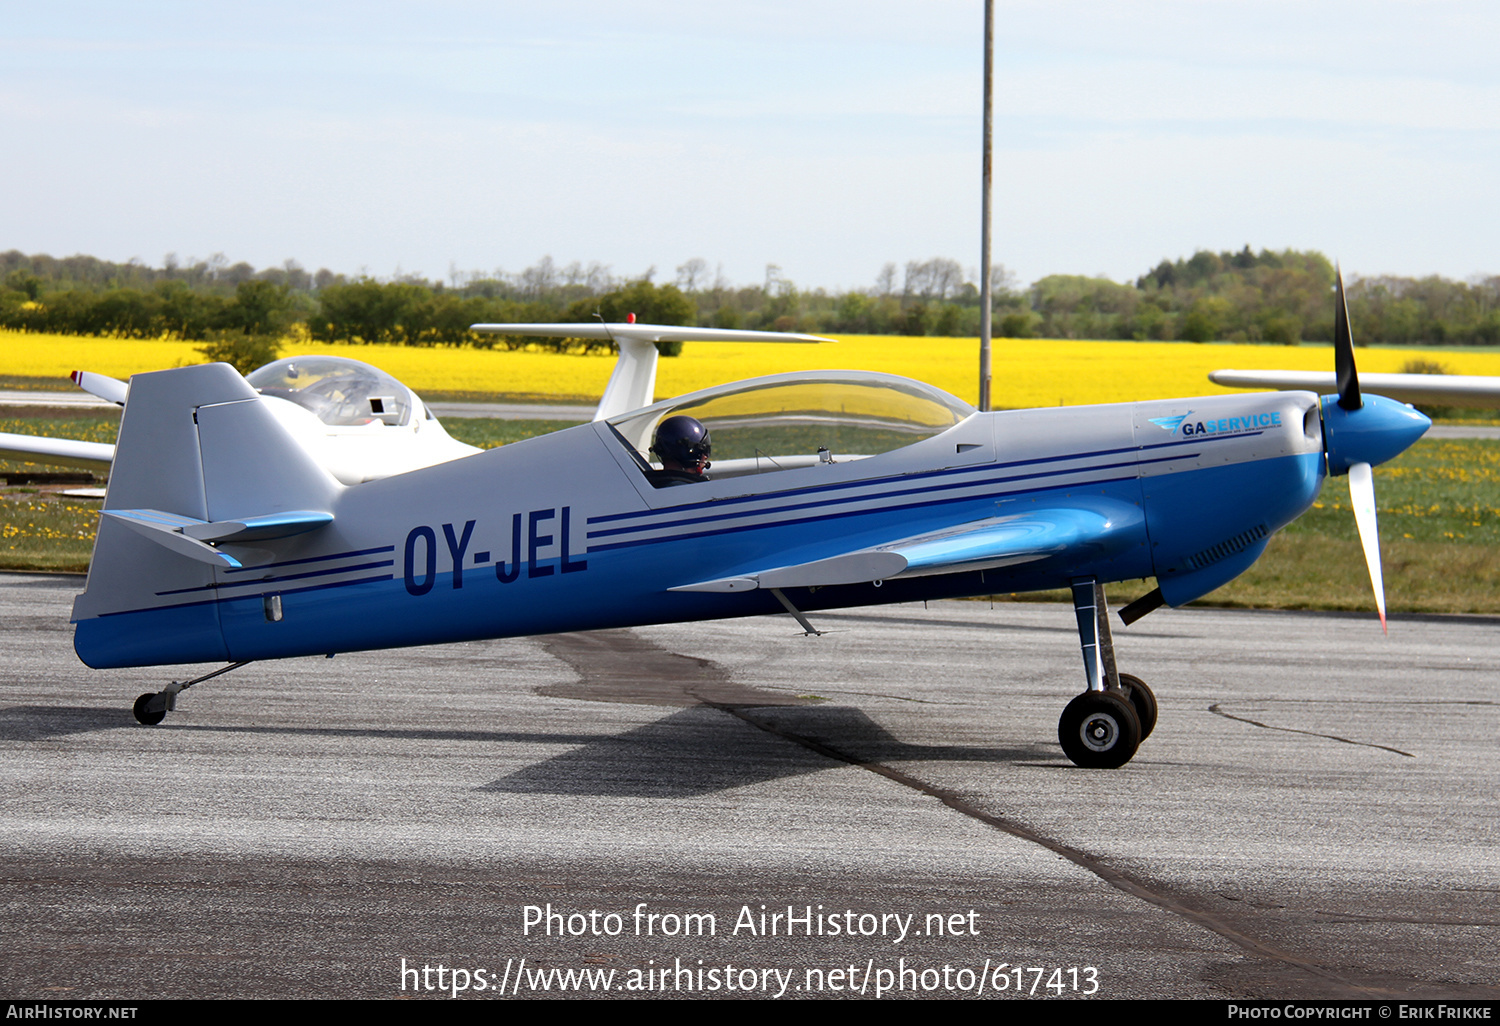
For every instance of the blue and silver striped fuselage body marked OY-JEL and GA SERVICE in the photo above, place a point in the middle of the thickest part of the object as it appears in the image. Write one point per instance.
(566, 533)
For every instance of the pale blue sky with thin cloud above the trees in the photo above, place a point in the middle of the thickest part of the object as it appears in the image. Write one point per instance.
(824, 137)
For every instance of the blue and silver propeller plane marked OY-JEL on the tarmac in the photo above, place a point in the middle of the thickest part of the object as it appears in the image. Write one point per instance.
(223, 539)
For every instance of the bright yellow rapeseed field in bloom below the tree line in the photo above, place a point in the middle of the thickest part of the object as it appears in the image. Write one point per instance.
(1028, 373)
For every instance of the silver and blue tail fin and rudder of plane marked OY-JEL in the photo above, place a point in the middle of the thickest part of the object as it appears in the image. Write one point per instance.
(197, 448)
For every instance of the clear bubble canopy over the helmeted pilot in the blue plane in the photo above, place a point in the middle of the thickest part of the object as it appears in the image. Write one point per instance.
(787, 419)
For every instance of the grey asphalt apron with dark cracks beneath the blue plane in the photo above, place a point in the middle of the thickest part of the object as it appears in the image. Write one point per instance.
(733, 809)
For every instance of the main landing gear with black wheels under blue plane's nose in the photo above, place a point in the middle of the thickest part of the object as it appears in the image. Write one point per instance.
(1103, 727)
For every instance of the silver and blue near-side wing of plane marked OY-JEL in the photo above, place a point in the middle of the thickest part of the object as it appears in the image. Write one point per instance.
(980, 545)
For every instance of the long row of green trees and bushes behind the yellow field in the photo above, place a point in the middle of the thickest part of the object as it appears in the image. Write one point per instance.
(1277, 298)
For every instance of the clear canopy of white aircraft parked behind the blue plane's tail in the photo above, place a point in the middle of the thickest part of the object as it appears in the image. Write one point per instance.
(337, 391)
